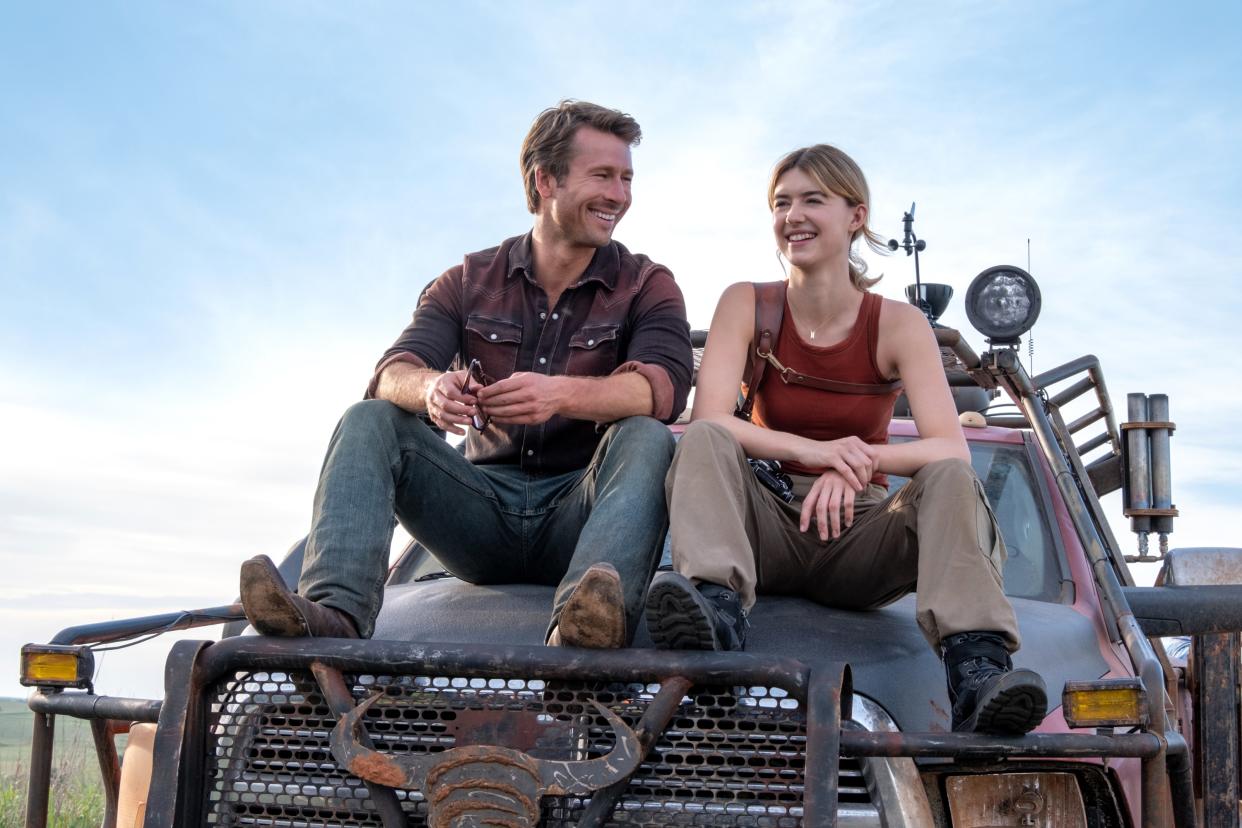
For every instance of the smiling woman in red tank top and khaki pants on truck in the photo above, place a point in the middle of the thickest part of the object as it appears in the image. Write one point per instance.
(841, 542)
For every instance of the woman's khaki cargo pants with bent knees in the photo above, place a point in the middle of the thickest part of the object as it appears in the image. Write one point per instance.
(937, 534)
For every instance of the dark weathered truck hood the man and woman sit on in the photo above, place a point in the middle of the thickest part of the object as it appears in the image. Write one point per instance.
(892, 664)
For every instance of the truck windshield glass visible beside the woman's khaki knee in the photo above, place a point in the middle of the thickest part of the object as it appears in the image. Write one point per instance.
(1033, 569)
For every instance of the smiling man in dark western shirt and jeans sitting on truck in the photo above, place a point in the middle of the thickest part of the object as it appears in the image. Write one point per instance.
(571, 352)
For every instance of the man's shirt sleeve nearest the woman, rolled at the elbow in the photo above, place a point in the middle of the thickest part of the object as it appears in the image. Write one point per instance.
(660, 344)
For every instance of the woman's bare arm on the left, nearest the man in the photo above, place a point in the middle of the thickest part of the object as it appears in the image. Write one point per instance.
(716, 397)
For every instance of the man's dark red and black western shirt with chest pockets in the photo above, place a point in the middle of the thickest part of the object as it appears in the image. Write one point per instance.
(625, 313)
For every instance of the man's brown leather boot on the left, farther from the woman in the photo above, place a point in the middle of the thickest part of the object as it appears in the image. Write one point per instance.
(275, 610)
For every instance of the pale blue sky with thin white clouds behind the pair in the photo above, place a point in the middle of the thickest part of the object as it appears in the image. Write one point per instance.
(215, 218)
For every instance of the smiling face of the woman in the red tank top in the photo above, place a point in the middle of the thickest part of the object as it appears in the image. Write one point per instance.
(813, 225)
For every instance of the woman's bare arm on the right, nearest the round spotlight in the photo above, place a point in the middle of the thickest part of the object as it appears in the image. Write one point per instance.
(907, 348)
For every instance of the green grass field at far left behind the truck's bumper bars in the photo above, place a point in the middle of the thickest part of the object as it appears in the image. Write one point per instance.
(78, 793)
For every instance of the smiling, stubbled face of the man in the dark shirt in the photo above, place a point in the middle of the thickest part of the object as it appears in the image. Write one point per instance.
(594, 194)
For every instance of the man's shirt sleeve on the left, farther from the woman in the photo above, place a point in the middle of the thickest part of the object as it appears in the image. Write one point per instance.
(434, 336)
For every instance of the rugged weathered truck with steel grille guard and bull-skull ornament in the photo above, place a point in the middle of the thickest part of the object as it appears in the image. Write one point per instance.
(455, 714)
